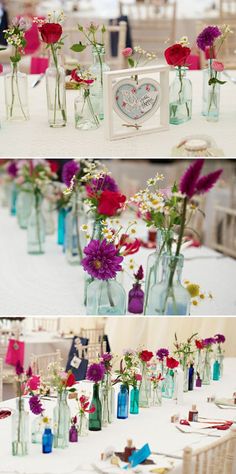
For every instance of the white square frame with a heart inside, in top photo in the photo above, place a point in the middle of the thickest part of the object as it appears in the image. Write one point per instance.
(118, 125)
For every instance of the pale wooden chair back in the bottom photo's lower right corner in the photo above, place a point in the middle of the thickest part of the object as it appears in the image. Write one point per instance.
(215, 458)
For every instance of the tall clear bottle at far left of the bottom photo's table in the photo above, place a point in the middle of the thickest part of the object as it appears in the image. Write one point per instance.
(20, 429)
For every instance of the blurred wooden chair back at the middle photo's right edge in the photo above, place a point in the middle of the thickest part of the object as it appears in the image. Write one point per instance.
(224, 231)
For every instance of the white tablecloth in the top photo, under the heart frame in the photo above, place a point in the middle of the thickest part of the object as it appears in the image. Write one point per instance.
(36, 139)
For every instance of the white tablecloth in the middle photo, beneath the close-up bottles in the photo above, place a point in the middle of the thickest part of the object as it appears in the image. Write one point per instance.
(48, 285)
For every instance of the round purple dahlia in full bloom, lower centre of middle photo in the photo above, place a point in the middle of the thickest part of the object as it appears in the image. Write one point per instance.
(101, 261)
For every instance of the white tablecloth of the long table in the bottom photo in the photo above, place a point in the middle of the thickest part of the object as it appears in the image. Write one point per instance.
(151, 425)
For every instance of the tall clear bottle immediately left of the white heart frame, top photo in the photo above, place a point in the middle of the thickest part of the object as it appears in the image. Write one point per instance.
(98, 67)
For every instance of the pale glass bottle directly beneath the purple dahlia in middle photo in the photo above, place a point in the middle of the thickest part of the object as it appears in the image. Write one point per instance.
(106, 297)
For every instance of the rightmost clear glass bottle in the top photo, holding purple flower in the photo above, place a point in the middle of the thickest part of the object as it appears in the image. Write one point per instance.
(211, 95)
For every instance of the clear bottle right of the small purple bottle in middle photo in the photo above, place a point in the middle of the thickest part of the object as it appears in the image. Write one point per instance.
(169, 297)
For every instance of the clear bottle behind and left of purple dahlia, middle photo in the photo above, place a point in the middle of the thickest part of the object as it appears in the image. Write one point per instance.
(75, 238)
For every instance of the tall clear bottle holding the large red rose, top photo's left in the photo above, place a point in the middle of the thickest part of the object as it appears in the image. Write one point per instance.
(56, 94)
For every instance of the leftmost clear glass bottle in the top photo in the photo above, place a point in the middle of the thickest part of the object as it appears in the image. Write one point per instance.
(16, 95)
